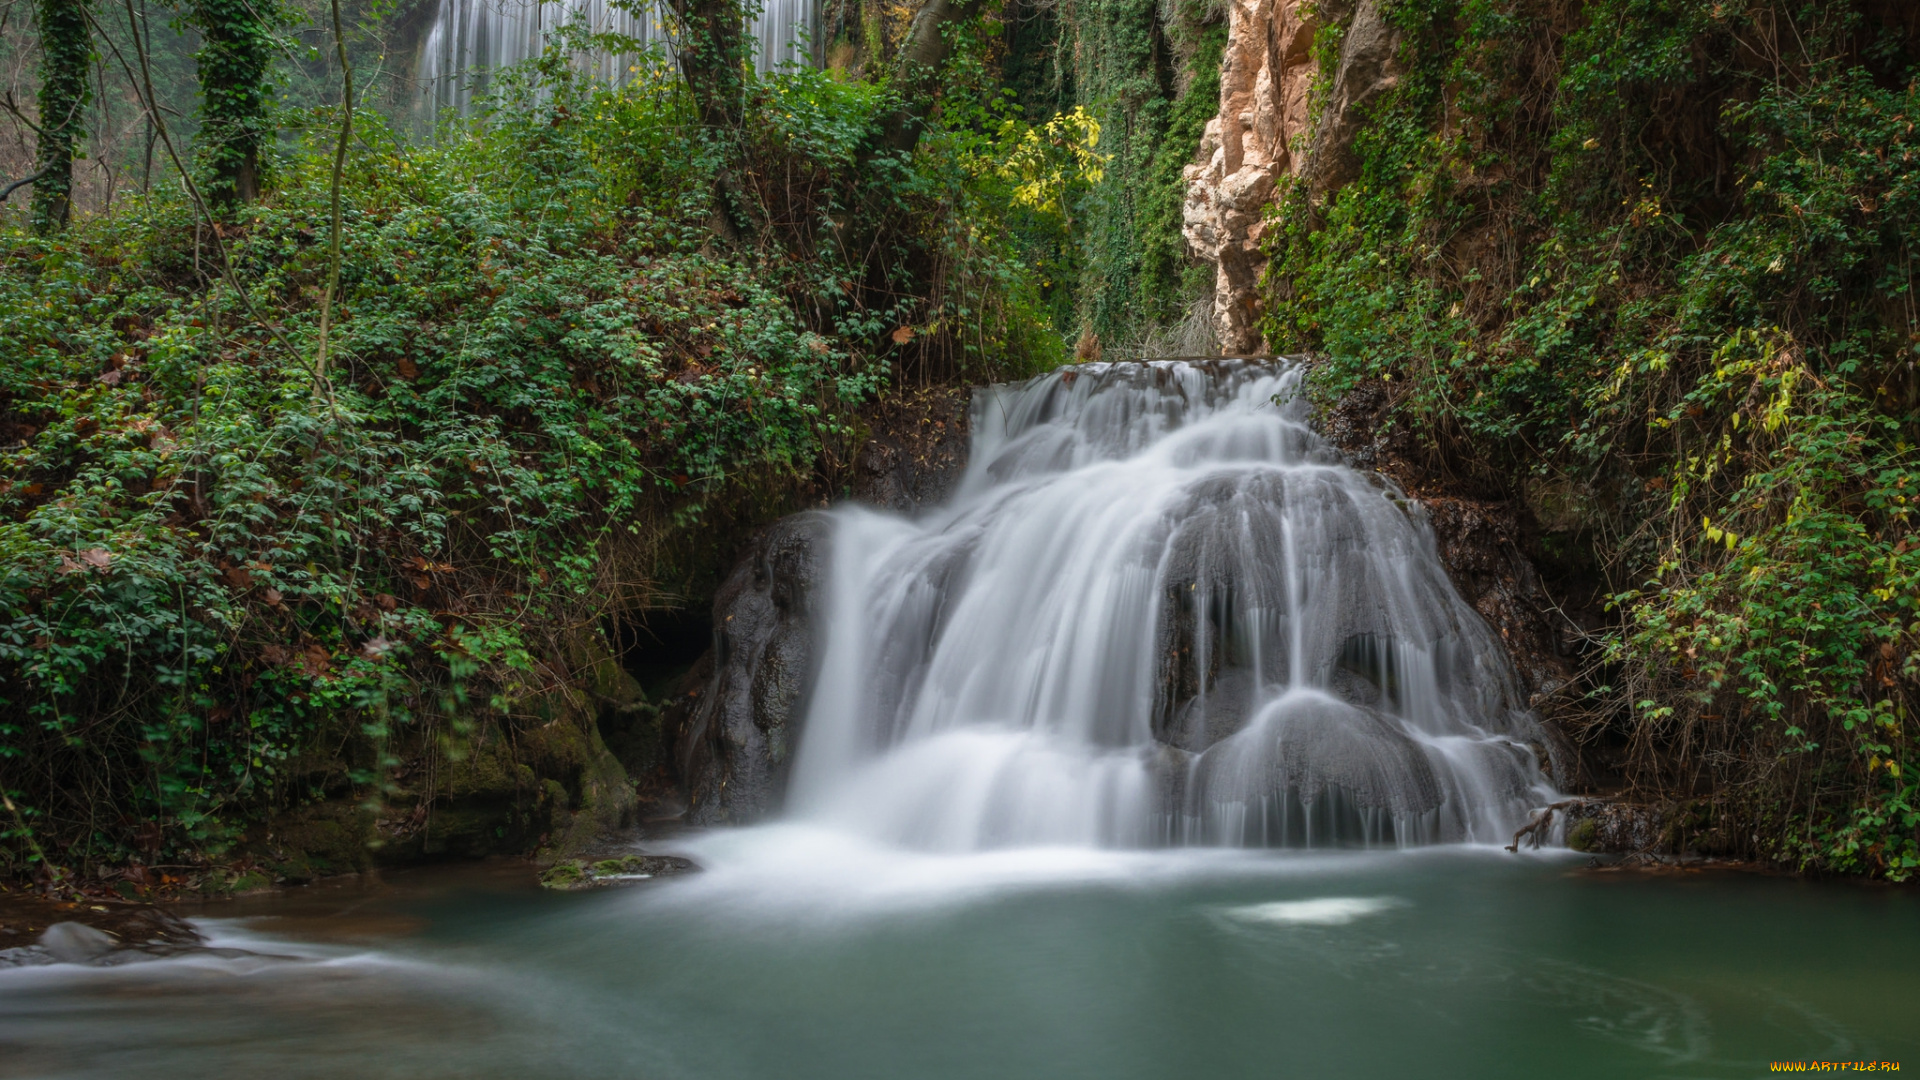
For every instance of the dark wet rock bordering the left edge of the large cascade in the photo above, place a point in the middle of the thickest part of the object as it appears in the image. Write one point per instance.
(740, 727)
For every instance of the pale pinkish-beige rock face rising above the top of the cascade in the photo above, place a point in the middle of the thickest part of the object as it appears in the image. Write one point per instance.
(1245, 153)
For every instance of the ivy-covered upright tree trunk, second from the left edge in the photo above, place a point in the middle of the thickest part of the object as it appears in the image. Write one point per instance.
(235, 61)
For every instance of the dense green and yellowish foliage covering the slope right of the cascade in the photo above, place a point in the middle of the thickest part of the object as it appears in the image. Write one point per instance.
(1652, 264)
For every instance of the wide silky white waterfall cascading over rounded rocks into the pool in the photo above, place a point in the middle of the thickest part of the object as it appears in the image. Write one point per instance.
(1159, 610)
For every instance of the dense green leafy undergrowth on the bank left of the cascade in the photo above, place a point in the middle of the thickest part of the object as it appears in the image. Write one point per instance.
(220, 562)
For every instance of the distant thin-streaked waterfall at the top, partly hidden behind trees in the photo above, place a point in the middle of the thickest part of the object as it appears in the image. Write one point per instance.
(471, 39)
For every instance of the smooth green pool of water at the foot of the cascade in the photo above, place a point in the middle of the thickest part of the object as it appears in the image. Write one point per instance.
(1019, 964)
